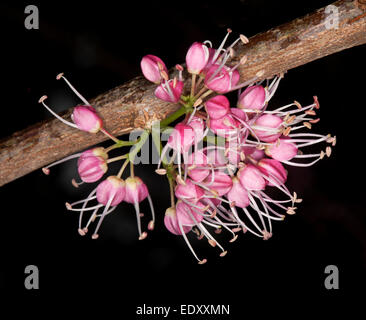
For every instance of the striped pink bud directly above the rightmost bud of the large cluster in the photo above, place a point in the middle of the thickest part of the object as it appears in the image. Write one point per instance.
(273, 123)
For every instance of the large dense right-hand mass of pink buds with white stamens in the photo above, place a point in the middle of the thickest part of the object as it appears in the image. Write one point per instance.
(227, 185)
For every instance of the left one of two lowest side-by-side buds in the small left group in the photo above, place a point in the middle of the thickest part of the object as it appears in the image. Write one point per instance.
(112, 189)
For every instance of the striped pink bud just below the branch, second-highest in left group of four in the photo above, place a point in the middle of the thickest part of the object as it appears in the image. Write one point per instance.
(91, 166)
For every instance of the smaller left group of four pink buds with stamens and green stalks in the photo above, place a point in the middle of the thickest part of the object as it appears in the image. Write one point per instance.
(92, 165)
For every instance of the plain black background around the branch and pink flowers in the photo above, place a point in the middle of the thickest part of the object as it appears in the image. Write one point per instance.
(99, 46)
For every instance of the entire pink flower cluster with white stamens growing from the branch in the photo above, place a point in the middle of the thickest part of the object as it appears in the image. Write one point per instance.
(223, 162)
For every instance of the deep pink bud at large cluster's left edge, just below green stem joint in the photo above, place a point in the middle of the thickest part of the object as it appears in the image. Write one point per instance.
(182, 138)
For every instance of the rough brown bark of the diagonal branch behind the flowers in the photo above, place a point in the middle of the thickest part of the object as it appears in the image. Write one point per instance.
(133, 105)
